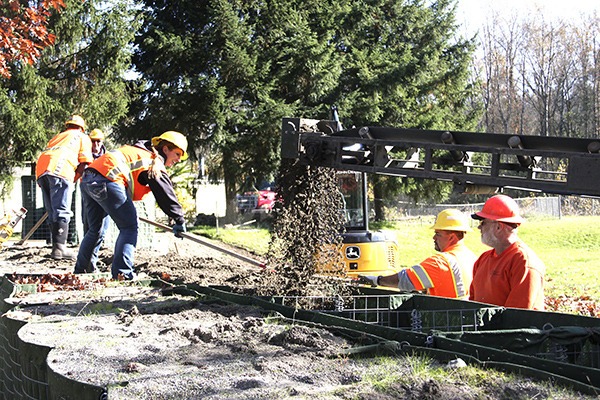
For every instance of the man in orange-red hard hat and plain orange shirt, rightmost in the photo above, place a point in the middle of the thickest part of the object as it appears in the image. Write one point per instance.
(510, 274)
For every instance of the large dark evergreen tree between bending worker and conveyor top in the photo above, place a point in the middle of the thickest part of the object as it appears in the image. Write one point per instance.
(225, 73)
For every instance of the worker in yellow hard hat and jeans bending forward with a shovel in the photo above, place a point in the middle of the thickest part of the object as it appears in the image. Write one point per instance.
(110, 185)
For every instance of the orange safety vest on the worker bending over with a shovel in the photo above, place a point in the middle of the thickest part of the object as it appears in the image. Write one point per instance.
(124, 166)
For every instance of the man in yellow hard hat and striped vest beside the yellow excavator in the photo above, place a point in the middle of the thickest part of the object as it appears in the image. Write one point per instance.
(448, 273)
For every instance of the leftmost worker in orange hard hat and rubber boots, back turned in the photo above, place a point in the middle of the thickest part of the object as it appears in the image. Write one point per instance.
(58, 167)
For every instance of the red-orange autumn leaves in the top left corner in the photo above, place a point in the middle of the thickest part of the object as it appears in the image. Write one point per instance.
(24, 31)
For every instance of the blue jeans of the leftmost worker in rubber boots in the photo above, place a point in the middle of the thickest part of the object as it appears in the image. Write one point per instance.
(57, 194)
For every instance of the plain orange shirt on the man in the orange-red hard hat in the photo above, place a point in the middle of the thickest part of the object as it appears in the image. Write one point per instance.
(514, 278)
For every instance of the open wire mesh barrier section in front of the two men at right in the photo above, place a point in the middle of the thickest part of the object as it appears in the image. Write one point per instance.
(549, 336)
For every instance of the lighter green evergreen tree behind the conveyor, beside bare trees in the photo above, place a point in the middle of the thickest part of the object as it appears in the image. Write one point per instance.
(406, 66)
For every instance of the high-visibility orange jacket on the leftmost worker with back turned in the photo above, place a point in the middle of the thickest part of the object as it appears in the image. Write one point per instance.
(64, 153)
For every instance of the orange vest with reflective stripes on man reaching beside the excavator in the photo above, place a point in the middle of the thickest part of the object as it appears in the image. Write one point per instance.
(446, 274)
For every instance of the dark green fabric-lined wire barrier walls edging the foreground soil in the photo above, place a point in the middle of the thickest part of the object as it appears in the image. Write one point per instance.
(562, 348)
